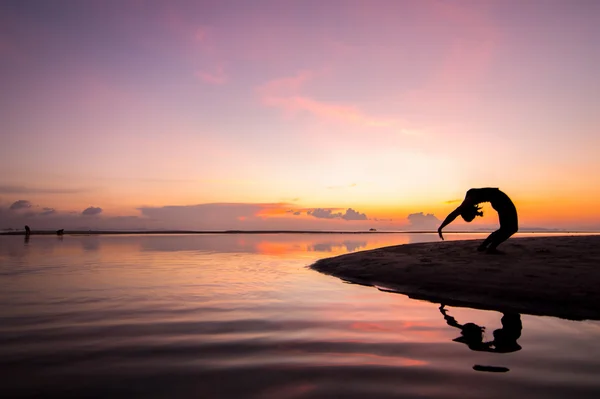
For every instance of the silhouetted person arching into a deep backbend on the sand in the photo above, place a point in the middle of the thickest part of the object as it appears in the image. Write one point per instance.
(469, 209)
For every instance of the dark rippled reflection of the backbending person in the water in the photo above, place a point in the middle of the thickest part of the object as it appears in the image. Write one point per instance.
(505, 338)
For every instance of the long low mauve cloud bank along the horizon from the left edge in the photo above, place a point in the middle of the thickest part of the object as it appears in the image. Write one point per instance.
(212, 216)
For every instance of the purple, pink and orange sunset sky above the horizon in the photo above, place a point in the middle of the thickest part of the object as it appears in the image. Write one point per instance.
(294, 115)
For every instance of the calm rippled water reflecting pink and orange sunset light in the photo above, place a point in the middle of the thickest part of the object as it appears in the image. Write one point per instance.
(242, 316)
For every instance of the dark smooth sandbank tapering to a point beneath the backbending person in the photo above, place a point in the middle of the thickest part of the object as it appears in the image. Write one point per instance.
(550, 276)
